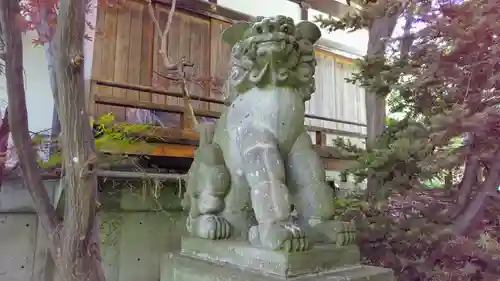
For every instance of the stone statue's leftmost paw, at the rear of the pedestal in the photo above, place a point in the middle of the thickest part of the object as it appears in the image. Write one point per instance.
(210, 227)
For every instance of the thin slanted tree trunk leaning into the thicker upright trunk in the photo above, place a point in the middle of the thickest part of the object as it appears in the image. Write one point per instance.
(18, 119)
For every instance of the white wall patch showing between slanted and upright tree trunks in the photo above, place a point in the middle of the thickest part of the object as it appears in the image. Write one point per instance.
(37, 84)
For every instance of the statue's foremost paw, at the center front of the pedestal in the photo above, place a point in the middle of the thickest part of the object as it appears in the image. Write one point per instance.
(279, 236)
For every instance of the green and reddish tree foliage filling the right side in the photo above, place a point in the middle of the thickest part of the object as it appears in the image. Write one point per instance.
(446, 91)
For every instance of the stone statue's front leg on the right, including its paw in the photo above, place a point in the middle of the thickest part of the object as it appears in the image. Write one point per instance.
(313, 197)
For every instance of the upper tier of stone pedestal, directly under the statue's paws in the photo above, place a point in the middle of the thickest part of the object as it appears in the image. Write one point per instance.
(319, 259)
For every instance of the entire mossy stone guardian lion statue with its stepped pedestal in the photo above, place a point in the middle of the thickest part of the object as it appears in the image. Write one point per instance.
(257, 161)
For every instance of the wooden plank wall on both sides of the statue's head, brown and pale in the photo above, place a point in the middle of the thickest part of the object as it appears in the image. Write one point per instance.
(127, 51)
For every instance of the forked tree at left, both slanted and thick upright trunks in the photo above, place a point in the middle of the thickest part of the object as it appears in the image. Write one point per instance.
(75, 247)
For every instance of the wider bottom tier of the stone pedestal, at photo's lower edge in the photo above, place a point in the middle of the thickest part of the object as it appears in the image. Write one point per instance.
(178, 267)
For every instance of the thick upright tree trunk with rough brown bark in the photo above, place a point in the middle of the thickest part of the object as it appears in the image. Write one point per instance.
(80, 258)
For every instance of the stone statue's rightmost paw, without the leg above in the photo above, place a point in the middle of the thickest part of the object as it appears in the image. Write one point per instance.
(339, 232)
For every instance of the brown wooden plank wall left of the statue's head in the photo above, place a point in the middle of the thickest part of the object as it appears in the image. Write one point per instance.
(127, 51)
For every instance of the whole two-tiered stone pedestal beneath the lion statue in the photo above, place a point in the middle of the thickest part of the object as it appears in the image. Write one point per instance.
(206, 260)
